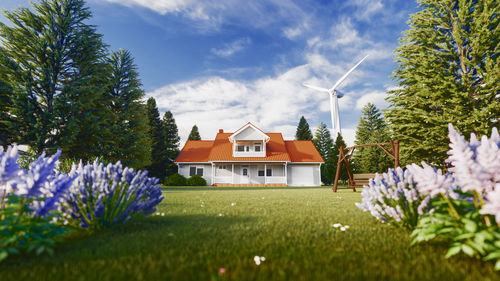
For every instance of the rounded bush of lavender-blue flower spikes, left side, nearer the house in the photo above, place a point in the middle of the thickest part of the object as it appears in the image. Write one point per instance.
(102, 196)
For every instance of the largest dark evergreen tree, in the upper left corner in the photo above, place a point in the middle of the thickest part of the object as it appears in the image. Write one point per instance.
(56, 68)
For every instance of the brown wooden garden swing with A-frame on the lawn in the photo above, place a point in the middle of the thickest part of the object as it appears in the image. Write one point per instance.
(346, 153)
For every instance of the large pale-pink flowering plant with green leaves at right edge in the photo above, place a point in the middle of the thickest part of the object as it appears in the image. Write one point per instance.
(466, 202)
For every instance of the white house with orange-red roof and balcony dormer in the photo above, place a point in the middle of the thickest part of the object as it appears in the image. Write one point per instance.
(250, 157)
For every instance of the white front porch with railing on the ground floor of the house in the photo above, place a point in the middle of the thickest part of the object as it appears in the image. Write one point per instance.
(249, 174)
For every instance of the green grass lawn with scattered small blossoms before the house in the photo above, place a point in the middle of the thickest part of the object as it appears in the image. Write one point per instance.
(290, 227)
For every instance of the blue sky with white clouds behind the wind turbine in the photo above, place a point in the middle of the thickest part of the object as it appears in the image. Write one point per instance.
(220, 64)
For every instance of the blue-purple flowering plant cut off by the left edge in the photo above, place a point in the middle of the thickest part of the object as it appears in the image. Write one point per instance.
(28, 202)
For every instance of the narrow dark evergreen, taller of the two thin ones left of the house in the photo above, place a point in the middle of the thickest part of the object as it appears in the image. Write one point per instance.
(157, 137)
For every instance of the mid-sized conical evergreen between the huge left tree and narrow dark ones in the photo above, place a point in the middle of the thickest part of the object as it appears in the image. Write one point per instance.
(131, 129)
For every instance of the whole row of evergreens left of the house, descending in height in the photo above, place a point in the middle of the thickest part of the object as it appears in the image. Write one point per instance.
(62, 88)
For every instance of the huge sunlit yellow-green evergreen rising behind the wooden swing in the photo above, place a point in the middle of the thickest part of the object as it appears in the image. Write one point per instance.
(448, 72)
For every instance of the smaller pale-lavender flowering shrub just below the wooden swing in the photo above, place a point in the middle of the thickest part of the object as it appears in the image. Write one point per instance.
(393, 198)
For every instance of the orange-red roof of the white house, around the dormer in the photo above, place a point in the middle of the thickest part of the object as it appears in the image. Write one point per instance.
(220, 150)
